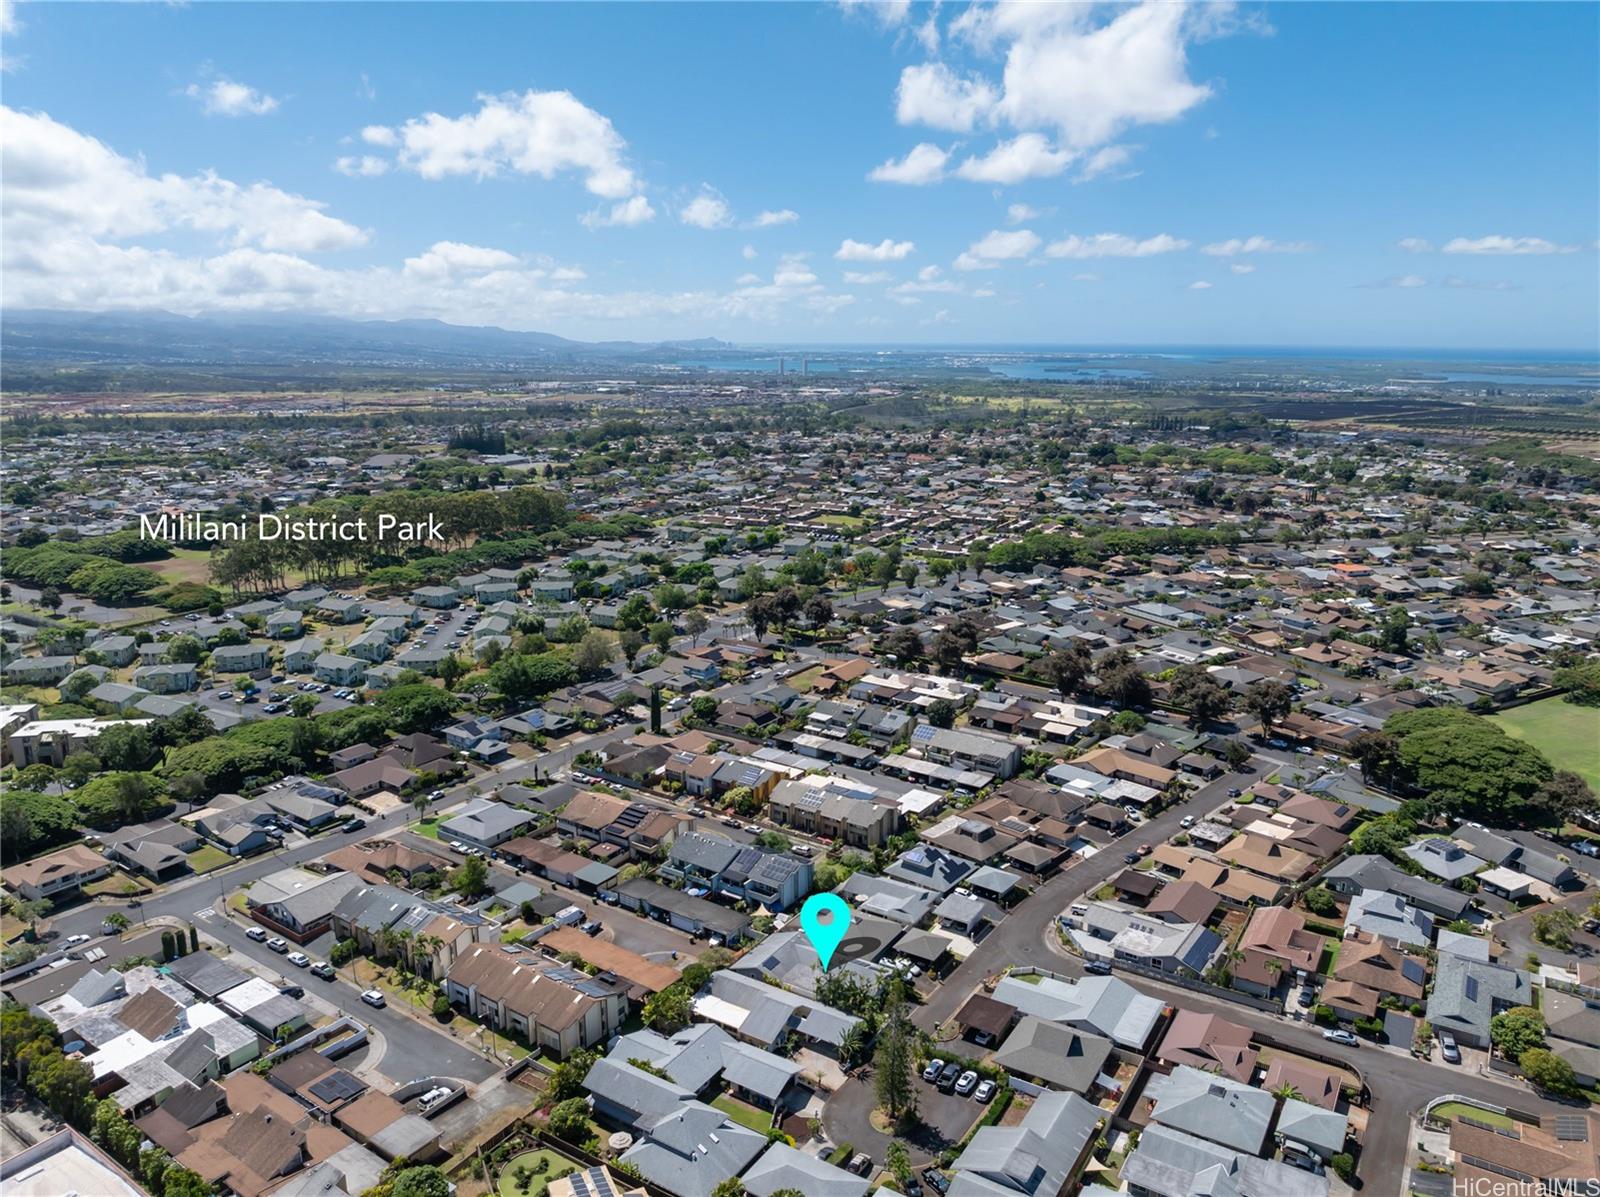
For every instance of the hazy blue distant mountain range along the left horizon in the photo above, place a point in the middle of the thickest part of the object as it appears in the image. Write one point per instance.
(166, 340)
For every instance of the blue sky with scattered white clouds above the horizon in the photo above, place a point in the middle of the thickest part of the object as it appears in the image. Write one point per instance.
(1348, 174)
